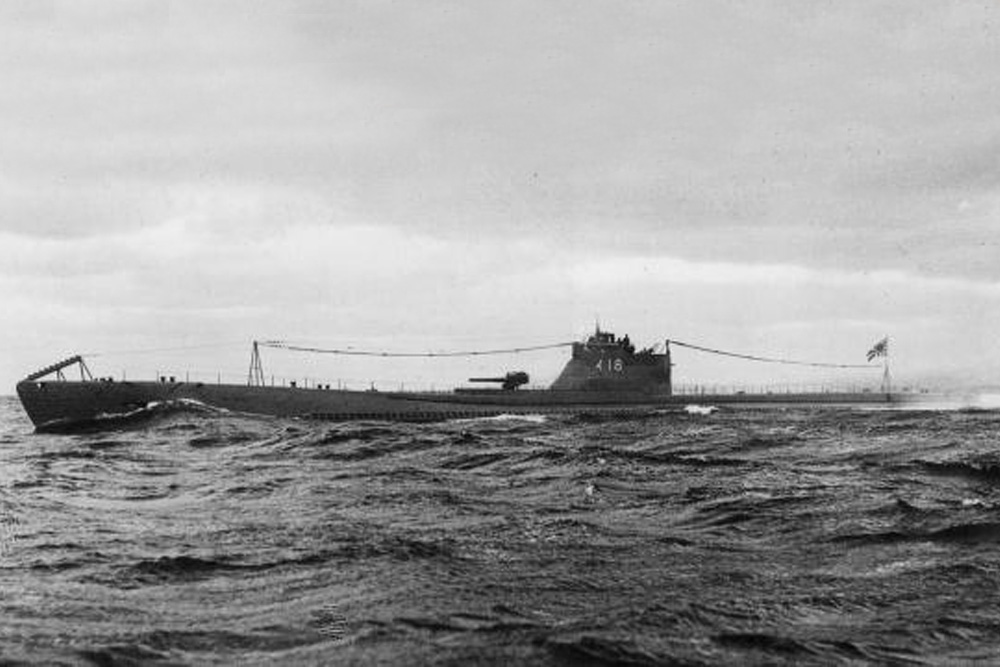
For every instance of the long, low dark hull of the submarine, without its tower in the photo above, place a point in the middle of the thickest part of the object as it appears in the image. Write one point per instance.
(66, 405)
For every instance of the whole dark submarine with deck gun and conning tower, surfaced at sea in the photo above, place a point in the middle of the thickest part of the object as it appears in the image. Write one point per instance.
(605, 375)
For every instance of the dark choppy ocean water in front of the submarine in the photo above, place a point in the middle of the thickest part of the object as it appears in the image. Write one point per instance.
(737, 537)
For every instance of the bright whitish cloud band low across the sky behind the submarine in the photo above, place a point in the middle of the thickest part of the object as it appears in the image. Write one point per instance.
(400, 289)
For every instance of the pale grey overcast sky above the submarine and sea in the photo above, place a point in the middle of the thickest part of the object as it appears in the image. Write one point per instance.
(791, 178)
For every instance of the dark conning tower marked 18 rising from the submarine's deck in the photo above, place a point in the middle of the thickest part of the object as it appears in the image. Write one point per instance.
(608, 363)
